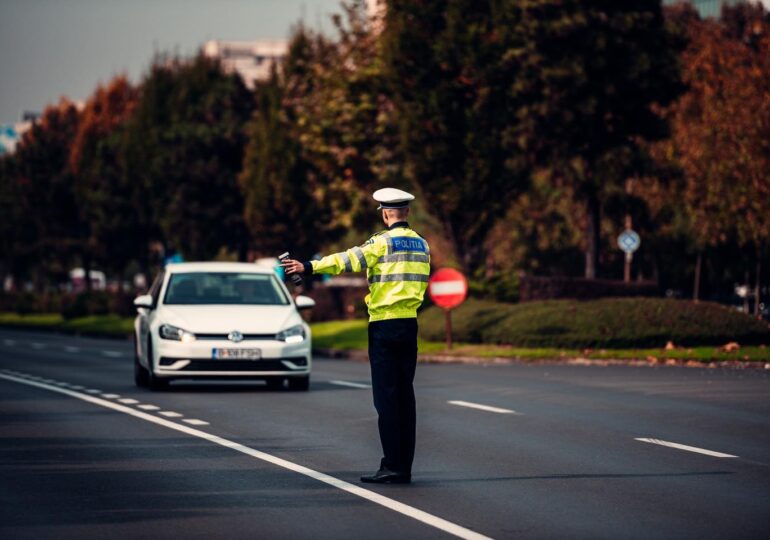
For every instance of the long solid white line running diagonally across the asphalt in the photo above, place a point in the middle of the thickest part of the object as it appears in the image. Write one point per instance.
(387, 502)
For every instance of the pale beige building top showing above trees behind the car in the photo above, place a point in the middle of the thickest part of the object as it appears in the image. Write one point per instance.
(252, 60)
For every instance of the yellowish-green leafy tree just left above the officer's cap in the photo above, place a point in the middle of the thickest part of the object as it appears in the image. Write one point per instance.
(344, 119)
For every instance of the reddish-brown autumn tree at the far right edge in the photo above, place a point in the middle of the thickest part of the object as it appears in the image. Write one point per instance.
(720, 131)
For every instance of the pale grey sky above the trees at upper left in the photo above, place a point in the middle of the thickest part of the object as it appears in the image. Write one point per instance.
(53, 48)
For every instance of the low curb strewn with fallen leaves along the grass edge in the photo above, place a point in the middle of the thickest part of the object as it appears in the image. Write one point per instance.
(357, 355)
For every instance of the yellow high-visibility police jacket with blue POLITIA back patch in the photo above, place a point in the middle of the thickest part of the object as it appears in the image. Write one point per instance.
(397, 264)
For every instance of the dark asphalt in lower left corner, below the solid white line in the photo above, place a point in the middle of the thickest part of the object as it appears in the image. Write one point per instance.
(69, 469)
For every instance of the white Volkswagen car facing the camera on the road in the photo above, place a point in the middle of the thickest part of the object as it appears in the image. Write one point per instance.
(221, 320)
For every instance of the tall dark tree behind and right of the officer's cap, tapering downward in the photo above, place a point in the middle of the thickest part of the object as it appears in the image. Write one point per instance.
(450, 72)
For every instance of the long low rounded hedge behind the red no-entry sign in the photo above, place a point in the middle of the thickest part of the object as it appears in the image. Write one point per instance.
(611, 322)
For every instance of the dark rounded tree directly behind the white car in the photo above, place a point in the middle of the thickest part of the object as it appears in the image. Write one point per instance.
(184, 149)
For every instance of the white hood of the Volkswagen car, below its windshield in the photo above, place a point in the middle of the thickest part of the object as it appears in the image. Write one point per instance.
(224, 319)
